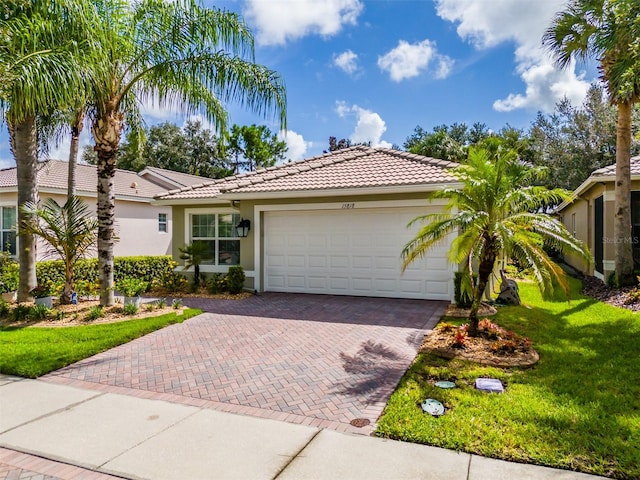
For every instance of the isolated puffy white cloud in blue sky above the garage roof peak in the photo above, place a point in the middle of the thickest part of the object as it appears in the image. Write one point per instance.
(408, 60)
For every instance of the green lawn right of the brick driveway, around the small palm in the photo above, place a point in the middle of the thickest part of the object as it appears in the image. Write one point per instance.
(578, 408)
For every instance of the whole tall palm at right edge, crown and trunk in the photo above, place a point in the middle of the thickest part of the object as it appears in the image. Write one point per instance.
(606, 30)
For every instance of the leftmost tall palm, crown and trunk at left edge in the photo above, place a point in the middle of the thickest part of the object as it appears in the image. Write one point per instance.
(40, 72)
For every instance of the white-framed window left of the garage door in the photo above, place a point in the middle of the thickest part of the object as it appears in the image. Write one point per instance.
(217, 231)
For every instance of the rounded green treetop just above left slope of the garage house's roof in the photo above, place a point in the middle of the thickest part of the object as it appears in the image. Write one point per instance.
(254, 146)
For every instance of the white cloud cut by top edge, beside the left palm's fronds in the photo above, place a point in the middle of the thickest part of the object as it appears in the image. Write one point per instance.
(278, 21)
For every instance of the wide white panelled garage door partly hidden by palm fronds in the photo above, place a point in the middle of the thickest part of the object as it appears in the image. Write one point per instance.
(351, 252)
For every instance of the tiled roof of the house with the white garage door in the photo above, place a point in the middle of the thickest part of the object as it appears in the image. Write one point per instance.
(357, 167)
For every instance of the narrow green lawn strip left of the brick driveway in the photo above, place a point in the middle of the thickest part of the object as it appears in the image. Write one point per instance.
(31, 352)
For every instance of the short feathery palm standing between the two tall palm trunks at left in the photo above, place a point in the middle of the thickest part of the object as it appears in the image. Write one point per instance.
(69, 230)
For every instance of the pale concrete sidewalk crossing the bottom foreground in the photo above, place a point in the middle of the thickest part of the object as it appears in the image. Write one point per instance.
(111, 434)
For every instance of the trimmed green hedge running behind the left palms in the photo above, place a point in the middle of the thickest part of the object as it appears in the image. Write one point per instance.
(145, 268)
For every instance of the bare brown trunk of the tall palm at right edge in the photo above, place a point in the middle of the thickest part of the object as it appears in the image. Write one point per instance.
(622, 219)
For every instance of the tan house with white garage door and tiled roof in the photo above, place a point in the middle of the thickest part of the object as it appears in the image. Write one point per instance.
(332, 224)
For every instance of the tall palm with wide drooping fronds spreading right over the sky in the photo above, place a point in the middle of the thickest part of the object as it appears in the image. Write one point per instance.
(177, 54)
